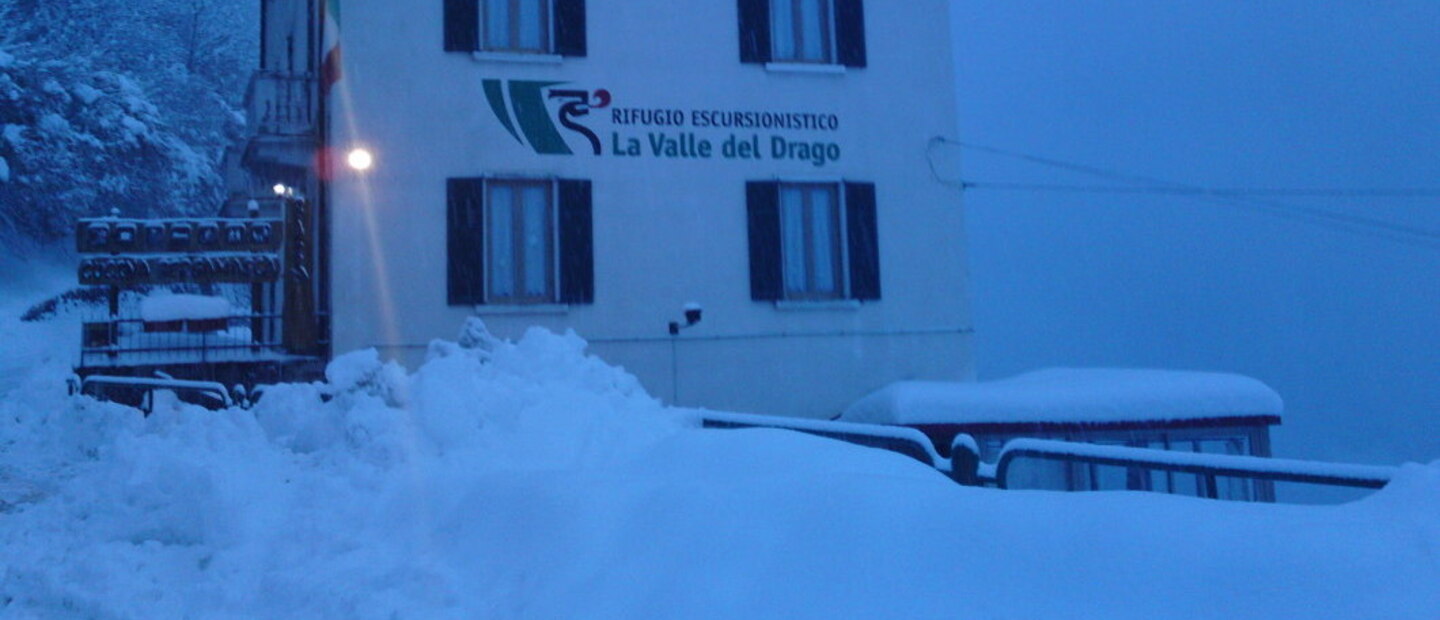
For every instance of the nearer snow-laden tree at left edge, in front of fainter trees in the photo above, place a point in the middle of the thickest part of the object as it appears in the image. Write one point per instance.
(81, 142)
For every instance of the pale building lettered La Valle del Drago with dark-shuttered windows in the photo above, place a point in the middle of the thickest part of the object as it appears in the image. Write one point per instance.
(607, 166)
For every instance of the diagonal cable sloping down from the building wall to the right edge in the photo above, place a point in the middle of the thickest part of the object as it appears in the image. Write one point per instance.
(1360, 225)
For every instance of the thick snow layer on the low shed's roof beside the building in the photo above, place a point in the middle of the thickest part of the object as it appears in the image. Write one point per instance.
(1071, 396)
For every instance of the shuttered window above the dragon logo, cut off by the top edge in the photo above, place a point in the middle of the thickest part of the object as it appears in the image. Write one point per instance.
(516, 27)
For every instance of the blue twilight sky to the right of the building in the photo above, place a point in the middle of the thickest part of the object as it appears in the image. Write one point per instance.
(1343, 320)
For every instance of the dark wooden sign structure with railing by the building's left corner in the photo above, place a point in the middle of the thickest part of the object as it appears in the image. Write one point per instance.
(230, 300)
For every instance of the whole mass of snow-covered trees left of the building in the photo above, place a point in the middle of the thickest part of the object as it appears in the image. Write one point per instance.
(117, 106)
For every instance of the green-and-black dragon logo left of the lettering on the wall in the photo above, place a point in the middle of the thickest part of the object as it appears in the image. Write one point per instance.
(525, 111)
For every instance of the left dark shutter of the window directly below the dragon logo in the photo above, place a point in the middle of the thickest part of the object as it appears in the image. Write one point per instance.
(466, 235)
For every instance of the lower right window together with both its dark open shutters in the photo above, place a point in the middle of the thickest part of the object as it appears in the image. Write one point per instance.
(813, 241)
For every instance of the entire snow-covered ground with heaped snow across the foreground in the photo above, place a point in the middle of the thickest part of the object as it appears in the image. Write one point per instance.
(526, 480)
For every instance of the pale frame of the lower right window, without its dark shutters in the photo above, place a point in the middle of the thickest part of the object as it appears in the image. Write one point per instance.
(840, 252)
